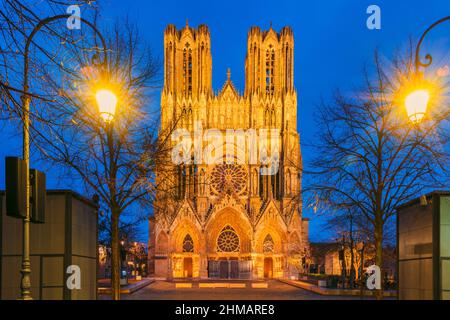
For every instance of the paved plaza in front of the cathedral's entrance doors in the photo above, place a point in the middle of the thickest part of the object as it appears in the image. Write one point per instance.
(164, 290)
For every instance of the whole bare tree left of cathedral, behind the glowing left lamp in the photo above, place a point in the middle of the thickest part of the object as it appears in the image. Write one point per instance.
(114, 159)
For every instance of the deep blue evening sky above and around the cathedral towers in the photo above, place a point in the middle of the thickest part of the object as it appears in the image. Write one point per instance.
(332, 45)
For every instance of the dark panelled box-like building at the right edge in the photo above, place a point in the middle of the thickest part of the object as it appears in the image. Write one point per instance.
(423, 235)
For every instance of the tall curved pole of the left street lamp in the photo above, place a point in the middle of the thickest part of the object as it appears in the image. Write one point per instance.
(25, 284)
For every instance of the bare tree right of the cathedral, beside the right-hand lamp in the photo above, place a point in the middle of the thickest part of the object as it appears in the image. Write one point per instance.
(371, 158)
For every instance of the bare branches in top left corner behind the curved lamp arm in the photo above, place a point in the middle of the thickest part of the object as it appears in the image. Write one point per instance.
(48, 49)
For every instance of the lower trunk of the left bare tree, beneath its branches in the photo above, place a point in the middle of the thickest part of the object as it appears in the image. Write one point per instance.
(115, 258)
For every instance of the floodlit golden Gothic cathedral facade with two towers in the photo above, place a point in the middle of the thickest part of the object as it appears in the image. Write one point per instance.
(239, 214)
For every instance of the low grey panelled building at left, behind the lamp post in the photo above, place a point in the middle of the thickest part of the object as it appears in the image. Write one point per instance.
(67, 238)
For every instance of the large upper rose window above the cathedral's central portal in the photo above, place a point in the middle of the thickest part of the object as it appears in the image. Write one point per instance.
(225, 176)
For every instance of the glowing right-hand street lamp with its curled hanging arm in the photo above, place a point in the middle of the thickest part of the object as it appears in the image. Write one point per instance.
(416, 102)
